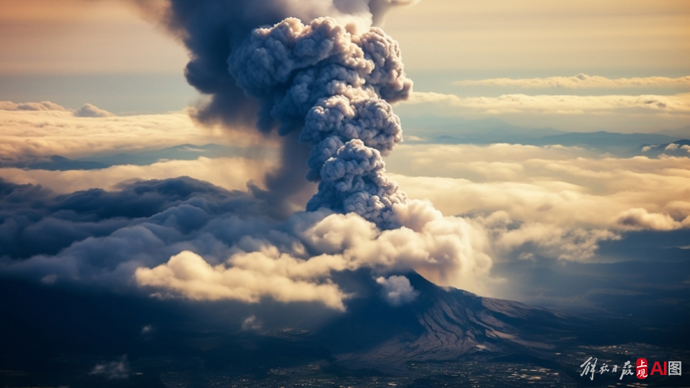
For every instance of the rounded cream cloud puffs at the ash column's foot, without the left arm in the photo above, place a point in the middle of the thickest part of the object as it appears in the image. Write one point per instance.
(449, 251)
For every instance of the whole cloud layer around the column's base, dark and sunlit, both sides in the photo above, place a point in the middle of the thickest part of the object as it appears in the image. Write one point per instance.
(180, 238)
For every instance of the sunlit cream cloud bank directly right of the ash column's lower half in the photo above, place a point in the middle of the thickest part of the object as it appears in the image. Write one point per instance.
(552, 201)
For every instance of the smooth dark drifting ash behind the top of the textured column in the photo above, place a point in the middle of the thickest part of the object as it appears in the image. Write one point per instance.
(212, 30)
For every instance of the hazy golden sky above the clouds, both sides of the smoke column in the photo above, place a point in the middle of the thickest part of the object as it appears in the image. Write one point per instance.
(106, 53)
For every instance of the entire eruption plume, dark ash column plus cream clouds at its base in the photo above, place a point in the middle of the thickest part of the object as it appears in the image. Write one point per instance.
(321, 75)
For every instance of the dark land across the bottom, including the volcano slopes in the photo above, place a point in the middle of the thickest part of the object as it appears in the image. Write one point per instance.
(446, 337)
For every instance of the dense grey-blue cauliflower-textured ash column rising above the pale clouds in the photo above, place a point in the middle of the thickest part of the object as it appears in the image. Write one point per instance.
(333, 83)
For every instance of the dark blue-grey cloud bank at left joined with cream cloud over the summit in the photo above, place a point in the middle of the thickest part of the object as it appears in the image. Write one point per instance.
(189, 239)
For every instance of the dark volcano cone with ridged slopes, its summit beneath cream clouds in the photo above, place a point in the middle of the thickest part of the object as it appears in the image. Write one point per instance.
(442, 324)
